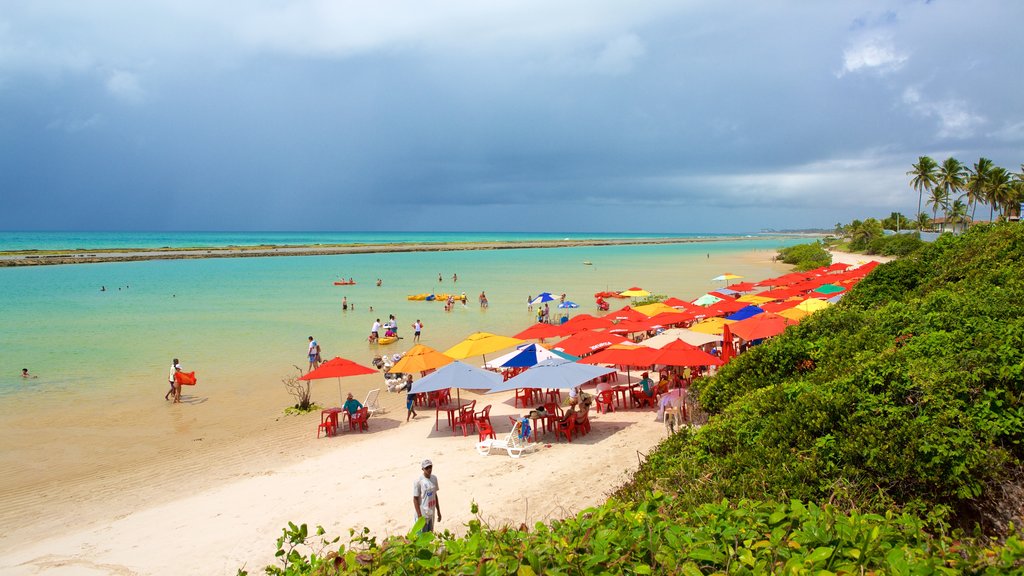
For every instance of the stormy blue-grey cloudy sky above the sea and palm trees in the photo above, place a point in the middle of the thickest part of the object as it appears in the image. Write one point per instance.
(514, 116)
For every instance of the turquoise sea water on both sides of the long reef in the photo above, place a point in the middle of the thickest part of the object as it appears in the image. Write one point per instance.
(243, 323)
